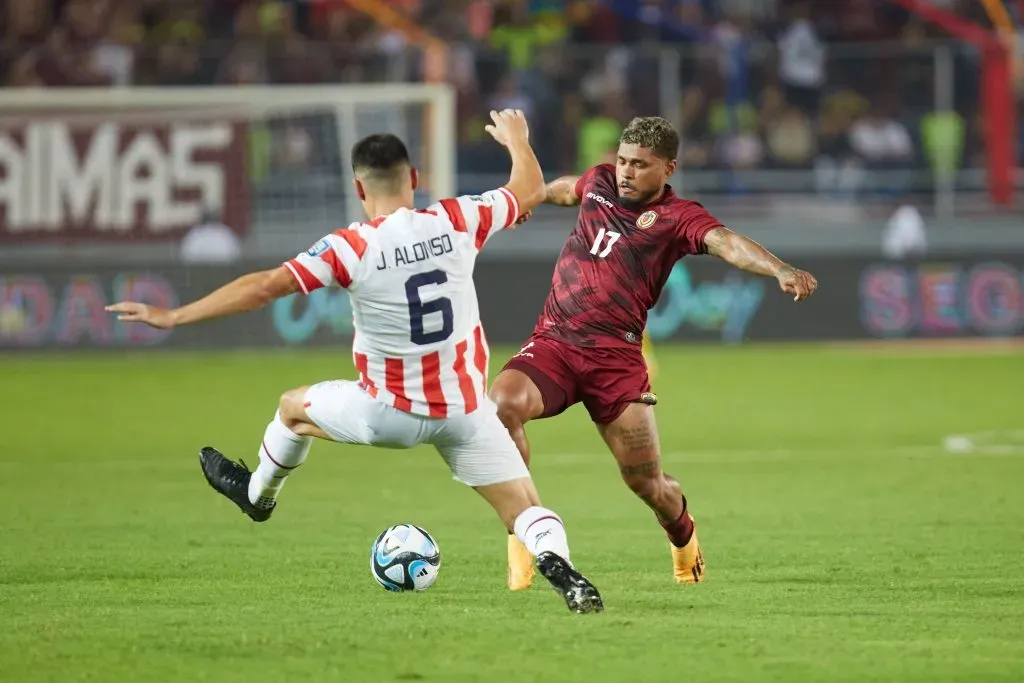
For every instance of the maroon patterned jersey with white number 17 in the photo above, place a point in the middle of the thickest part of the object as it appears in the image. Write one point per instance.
(614, 266)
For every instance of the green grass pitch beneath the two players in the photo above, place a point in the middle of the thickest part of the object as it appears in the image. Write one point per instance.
(843, 542)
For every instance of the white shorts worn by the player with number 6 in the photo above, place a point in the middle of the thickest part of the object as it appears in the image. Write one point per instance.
(477, 447)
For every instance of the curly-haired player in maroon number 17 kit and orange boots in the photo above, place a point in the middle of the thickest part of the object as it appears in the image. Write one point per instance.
(631, 230)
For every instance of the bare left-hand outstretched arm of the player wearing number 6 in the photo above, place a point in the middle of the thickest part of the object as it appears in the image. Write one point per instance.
(247, 293)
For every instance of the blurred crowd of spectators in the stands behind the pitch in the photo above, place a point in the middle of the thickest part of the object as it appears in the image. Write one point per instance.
(835, 86)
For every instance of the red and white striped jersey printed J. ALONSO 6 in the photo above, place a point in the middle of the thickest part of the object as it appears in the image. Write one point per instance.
(419, 345)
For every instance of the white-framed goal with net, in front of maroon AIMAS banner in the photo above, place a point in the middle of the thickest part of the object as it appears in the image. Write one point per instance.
(144, 165)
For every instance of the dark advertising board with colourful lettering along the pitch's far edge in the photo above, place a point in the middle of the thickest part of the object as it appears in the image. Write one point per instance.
(61, 308)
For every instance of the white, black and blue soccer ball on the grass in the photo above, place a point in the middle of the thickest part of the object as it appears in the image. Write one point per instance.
(405, 558)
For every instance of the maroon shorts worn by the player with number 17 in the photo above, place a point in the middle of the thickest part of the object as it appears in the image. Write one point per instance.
(607, 380)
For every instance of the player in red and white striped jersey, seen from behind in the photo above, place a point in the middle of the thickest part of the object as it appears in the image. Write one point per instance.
(419, 347)
